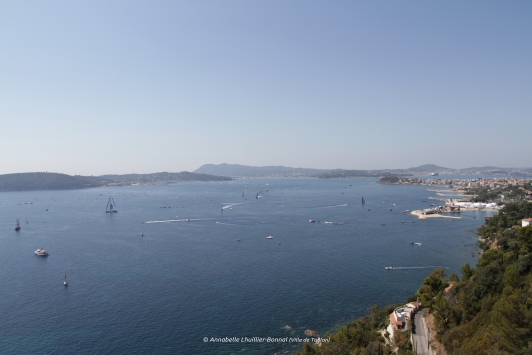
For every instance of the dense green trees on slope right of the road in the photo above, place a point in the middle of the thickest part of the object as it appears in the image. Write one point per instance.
(490, 310)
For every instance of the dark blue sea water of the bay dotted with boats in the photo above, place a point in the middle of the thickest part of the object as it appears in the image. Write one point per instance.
(164, 292)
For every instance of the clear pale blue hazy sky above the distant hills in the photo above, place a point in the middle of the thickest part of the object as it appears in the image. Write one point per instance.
(94, 87)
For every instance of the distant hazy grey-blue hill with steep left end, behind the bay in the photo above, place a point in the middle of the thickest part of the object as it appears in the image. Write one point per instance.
(255, 171)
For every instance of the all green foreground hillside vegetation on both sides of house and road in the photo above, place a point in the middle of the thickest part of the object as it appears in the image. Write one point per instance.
(488, 311)
